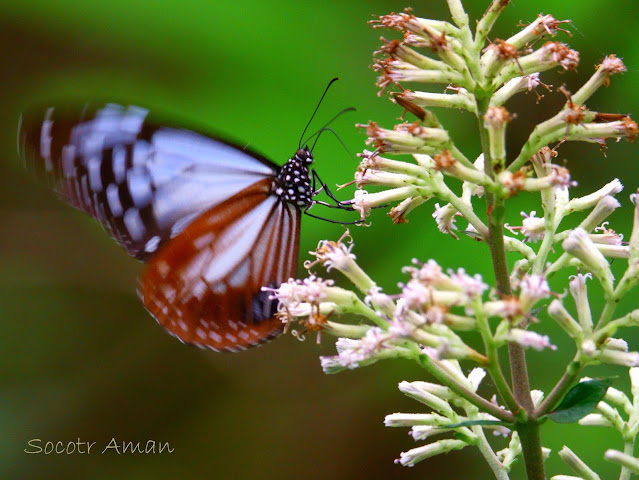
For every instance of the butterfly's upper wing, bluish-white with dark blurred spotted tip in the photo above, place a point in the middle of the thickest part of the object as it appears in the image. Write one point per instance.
(143, 180)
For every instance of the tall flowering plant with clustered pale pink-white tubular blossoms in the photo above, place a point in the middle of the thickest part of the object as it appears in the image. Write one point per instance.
(437, 314)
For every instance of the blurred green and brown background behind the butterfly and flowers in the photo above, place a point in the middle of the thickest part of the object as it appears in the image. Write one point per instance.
(79, 356)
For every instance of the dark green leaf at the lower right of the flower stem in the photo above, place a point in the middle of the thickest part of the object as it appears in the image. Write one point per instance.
(580, 400)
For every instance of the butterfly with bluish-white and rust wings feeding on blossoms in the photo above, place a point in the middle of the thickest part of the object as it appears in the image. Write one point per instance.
(213, 221)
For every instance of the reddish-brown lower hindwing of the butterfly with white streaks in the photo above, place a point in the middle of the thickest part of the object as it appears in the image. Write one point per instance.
(205, 285)
